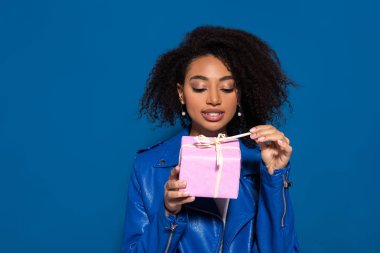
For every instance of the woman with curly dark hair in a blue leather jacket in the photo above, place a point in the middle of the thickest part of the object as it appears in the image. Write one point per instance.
(217, 81)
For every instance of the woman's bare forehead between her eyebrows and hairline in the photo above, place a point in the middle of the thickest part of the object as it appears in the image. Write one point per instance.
(208, 66)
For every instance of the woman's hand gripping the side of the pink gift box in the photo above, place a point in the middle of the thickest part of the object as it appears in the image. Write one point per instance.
(174, 199)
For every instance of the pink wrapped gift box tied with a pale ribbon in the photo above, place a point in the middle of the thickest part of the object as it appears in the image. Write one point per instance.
(198, 167)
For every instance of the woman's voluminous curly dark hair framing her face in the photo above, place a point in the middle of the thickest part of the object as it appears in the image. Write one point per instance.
(262, 84)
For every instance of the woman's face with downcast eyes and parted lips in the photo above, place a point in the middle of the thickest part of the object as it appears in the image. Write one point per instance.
(210, 95)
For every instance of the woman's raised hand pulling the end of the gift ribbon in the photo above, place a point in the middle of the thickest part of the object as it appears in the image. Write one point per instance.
(275, 146)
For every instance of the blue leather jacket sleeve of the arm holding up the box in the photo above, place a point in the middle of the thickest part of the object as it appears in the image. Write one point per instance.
(149, 233)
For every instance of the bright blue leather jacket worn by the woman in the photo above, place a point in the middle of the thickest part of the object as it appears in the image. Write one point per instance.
(259, 220)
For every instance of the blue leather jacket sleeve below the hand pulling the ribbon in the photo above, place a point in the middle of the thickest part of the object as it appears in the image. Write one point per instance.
(275, 230)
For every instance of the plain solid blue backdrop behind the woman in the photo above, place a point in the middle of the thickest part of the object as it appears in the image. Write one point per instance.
(72, 74)
